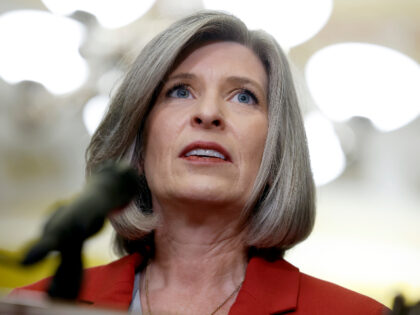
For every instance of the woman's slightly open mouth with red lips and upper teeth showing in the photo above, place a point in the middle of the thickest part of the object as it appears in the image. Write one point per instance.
(205, 150)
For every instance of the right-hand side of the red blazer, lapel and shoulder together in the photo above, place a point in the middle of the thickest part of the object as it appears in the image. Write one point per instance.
(279, 287)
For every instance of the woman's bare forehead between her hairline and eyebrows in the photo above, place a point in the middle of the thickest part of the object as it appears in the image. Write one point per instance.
(223, 58)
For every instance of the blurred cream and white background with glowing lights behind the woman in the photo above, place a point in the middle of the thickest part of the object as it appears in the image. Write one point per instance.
(356, 65)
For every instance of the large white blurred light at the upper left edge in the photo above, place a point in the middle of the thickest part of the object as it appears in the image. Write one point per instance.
(39, 46)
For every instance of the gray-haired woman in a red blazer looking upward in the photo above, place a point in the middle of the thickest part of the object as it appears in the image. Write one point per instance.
(209, 116)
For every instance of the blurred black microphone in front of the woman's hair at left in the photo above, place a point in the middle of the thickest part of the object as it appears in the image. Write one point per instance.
(112, 187)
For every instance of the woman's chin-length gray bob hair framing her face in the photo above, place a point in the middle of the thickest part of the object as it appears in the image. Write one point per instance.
(281, 209)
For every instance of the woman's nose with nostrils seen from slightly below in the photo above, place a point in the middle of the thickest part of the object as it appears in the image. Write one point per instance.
(208, 114)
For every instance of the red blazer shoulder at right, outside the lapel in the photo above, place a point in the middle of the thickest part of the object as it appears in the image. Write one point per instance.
(329, 298)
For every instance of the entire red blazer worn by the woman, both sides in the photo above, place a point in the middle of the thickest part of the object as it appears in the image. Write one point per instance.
(269, 288)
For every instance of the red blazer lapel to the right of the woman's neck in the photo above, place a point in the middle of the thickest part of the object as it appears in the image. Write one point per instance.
(268, 288)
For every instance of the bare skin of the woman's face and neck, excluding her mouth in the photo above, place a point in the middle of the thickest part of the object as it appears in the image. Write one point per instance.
(200, 254)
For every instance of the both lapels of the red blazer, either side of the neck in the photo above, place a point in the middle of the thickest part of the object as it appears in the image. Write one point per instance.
(268, 288)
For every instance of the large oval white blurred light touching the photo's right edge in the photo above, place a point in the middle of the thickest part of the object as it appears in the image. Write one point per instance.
(366, 80)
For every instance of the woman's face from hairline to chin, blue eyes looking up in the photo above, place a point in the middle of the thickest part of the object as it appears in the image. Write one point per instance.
(205, 135)
